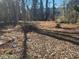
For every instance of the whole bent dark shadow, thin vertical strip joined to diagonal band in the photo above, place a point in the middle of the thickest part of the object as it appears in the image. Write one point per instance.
(31, 28)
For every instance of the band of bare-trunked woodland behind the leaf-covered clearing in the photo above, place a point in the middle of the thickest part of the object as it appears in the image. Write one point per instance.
(39, 10)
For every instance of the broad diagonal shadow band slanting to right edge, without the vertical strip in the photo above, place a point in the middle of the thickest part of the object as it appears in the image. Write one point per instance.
(58, 36)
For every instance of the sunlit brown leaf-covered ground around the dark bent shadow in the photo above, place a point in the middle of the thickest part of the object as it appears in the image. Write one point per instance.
(39, 46)
